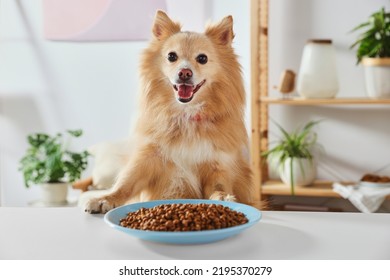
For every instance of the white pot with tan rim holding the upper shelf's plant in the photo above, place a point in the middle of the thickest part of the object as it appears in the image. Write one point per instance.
(377, 76)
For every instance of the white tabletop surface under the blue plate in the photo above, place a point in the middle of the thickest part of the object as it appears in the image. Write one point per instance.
(69, 233)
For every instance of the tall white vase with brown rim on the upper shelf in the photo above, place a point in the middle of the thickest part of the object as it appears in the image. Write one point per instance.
(317, 77)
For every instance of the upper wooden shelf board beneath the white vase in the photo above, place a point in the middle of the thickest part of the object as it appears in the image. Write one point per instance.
(329, 101)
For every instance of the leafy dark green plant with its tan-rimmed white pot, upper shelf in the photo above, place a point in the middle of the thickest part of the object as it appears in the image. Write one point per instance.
(373, 52)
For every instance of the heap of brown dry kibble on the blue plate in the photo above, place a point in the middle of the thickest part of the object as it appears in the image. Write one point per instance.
(183, 217)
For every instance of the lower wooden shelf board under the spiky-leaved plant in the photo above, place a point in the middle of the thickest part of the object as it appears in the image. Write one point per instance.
(318, 189)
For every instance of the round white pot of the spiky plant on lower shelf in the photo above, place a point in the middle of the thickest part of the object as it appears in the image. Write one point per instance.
(304, 172)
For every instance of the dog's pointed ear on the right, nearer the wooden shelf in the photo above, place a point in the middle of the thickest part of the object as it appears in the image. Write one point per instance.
(222, 32)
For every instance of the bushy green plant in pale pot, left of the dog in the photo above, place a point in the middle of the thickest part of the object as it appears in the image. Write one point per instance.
(48, 162)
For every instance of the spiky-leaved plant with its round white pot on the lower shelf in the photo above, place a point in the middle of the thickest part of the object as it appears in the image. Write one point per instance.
(293, 156)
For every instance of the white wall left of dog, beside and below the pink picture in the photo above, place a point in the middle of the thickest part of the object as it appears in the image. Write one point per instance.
(53, 86)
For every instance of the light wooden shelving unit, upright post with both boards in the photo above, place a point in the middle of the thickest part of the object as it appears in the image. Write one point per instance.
(260, 105)
